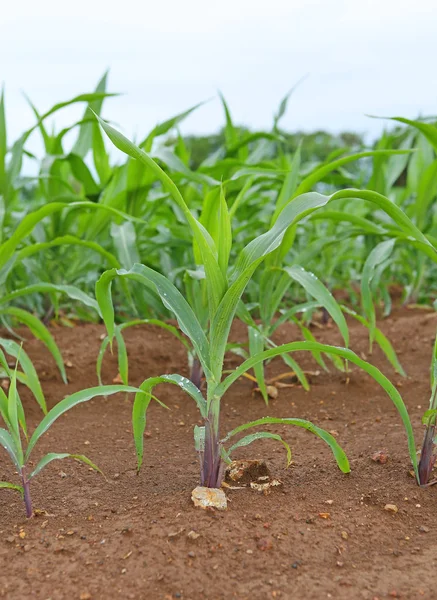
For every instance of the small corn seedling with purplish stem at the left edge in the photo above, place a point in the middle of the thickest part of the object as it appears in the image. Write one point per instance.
(11, 411)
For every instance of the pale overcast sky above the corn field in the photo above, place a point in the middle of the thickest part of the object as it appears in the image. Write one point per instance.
(362, 57)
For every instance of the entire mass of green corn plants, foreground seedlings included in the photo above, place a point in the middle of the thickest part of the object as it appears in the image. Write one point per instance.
(253, 233)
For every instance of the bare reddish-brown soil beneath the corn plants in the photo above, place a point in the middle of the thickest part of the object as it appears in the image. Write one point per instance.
(127, 536)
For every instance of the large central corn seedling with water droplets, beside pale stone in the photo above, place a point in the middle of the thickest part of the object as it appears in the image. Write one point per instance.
(225, 288)
